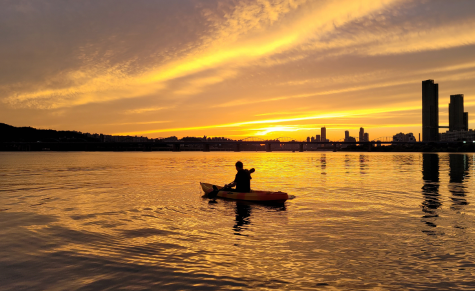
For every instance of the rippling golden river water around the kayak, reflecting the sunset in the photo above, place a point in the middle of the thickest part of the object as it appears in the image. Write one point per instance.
(137, 221)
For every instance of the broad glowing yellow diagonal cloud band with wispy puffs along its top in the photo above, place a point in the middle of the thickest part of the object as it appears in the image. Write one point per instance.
(248, 34)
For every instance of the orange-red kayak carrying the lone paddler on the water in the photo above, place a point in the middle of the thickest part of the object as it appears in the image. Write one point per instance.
(254, 195)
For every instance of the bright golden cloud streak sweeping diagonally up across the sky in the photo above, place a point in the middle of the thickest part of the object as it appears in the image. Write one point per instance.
(232, 47)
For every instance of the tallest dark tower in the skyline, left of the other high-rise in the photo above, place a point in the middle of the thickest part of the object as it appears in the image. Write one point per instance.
(430, 111)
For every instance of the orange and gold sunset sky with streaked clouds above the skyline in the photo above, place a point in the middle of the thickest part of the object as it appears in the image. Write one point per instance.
(265, 68)
